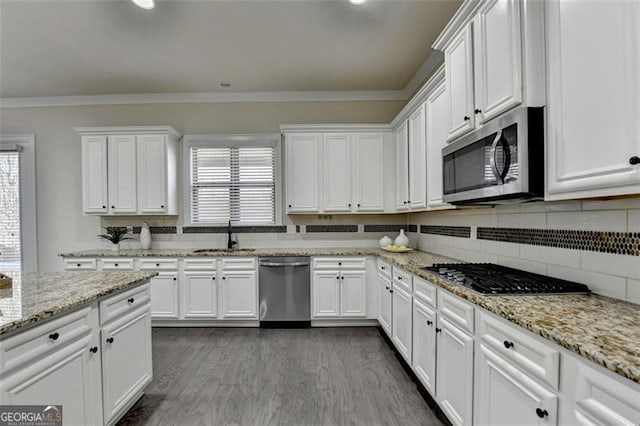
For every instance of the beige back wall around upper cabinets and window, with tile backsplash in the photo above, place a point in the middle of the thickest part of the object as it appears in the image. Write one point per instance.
(61, 225)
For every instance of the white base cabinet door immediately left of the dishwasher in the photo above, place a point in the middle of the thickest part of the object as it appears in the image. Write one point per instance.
(239, 294)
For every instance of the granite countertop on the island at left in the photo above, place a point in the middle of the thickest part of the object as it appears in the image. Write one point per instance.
(37, 297)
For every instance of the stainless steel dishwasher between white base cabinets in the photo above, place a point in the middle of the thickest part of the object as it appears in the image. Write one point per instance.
(285, 292)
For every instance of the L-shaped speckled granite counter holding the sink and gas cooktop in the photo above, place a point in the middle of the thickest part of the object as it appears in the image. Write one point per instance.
(601, 329)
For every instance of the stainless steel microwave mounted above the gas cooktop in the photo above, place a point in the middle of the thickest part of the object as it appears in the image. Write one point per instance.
(498, 163)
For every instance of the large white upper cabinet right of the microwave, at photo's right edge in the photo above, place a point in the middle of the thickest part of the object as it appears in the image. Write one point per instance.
(593, 130)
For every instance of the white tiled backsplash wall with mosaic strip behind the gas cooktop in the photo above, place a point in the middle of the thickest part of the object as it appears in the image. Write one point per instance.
(538, 237)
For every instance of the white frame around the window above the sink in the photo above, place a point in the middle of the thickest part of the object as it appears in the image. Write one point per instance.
(232, 140)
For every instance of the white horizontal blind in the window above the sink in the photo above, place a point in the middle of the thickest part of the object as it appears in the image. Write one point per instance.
(232, 183)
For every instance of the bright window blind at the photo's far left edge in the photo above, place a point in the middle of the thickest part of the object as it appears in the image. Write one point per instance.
(10, 242)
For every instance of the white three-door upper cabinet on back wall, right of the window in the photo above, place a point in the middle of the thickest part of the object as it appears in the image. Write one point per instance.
(337, 169)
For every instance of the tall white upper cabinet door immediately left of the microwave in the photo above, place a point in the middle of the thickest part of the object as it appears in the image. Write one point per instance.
(437, 117)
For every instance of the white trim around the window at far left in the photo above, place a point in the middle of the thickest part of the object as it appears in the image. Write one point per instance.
(28, 219)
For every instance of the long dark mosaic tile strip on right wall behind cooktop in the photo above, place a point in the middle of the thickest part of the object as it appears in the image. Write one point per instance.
(625, 243)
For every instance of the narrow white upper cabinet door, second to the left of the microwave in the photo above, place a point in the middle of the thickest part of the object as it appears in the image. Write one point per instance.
(417, 160)
